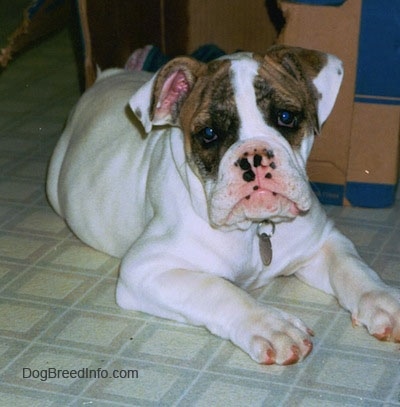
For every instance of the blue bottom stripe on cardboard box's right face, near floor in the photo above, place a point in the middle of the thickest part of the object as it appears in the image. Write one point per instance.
(370, 195)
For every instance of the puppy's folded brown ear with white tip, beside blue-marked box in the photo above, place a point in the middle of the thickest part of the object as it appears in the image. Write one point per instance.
(324, 71)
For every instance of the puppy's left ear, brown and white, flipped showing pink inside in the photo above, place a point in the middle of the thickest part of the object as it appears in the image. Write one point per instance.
(158, 102)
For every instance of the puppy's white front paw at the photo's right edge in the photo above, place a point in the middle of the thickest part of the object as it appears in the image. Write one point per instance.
(379, 311)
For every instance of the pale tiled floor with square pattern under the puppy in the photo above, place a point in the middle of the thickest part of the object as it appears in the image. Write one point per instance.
(57, 308)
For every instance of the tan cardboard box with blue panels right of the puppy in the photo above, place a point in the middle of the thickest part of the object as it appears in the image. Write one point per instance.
(356, 160)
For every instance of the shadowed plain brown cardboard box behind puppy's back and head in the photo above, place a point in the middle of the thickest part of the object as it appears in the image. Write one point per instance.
(113, 29)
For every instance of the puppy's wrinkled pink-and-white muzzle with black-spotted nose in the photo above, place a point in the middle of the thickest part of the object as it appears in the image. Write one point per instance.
(259, 181)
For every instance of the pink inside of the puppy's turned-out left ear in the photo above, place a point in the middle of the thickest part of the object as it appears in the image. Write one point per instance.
(172, 91)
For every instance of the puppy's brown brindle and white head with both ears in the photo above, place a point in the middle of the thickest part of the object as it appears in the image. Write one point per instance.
(249, 123)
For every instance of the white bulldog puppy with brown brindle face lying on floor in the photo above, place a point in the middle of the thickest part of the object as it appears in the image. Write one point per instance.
(199, 185)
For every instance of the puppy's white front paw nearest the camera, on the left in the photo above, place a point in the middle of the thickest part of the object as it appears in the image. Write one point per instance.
(271, 336)
